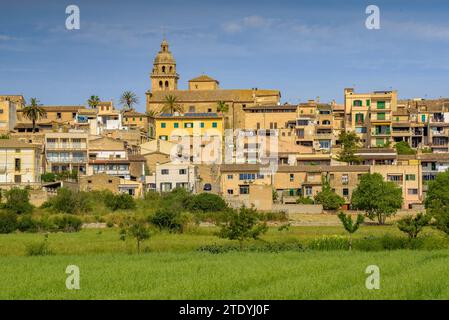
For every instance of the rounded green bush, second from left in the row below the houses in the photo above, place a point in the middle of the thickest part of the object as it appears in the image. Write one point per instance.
(72, 202)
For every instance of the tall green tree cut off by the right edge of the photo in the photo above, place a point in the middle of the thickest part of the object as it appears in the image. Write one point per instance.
(437, 201)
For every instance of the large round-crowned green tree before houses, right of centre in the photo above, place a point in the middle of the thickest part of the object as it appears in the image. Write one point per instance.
(378, 198)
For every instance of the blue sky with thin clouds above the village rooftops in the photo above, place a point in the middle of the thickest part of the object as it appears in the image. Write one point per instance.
(303, 48)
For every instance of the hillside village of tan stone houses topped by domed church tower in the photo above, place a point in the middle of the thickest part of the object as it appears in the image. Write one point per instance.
(102, 145)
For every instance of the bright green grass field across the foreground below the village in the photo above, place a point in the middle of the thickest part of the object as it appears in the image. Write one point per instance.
(171, 268)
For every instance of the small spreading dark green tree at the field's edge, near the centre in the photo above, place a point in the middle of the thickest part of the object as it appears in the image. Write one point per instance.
(243, 224)
